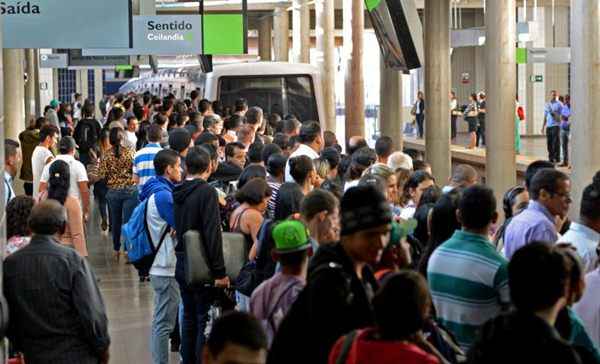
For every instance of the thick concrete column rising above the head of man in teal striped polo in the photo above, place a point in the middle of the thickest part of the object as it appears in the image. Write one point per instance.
(501, 79)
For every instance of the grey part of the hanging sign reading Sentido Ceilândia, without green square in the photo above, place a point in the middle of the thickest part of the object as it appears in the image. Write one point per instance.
(161, 35)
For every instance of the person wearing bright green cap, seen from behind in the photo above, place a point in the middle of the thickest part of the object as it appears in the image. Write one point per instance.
(271, 300)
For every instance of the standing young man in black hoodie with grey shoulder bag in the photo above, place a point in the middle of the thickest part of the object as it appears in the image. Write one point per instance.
(196, 208)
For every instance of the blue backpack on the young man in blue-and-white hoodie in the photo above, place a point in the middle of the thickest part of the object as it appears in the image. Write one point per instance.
(138, 242)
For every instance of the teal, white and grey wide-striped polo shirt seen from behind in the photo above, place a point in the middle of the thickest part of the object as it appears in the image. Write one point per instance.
(468, 281)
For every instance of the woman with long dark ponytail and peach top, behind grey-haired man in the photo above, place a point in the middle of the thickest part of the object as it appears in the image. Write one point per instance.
(58, 189)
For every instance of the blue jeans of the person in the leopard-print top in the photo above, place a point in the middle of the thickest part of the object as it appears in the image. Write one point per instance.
(121, 204)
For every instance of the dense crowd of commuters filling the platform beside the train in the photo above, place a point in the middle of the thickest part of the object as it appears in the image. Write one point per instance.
(350, 254)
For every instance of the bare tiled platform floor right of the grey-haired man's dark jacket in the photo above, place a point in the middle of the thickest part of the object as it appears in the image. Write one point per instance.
(128, 302)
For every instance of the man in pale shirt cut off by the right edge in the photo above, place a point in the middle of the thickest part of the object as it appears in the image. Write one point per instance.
(584, 235)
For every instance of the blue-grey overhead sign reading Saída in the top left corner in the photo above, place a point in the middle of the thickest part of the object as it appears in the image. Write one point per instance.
(66, 24)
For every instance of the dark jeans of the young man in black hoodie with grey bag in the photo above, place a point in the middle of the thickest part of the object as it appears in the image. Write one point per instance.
(193, 318)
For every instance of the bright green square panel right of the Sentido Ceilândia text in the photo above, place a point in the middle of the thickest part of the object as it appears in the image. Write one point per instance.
(223, 34)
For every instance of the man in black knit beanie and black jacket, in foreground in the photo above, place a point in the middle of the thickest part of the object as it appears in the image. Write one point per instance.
(337, 298)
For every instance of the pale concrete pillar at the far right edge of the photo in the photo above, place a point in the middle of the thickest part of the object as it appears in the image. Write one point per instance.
(585, 87)
